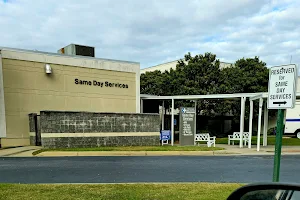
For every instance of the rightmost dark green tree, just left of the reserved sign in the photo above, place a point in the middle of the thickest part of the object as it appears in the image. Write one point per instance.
(248, 75)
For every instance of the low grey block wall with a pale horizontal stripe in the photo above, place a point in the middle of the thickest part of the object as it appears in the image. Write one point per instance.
(87, 129)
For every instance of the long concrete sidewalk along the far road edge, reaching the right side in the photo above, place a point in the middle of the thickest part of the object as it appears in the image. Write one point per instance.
(229, 151)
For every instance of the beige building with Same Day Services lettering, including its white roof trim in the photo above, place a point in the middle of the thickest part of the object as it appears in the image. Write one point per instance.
(76, 83)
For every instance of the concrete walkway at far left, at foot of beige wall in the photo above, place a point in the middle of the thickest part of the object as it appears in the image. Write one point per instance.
(19, 151)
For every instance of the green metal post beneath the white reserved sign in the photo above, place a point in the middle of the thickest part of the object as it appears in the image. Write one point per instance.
(277, 156)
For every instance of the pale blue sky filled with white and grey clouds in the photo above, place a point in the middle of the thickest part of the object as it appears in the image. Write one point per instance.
(156, 31)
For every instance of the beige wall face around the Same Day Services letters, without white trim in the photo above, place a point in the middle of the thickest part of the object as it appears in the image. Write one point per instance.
(28, 89)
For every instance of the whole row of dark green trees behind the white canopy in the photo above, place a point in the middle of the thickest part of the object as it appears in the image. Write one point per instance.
(201, 75)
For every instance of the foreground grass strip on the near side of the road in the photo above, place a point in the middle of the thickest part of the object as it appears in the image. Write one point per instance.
(203, 191)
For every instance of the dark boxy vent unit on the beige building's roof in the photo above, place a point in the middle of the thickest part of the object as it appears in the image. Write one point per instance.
(75, 49)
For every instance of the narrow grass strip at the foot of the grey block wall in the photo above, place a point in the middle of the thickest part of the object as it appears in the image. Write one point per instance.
(137, 148)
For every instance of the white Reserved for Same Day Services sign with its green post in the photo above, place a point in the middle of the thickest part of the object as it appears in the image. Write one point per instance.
(281, 96)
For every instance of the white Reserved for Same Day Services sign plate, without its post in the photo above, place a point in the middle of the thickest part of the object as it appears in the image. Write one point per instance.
(282, 87)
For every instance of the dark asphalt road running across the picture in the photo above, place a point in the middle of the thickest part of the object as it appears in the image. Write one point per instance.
(243, 169)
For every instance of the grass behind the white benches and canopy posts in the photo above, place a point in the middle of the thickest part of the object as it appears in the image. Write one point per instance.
(271, 141)
